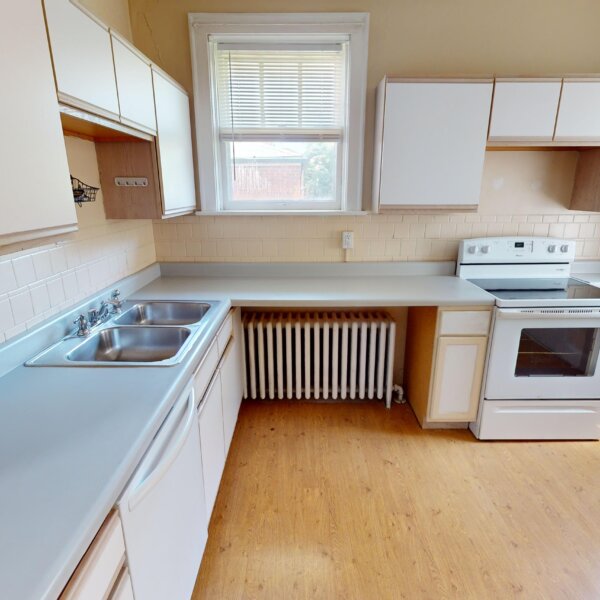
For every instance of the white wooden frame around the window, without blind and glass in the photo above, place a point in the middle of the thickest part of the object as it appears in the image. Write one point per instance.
(355, 26)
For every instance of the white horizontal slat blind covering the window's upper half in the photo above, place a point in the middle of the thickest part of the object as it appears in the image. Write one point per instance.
(291, 90)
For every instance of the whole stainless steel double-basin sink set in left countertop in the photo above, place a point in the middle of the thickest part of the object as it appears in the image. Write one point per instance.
(148, 333)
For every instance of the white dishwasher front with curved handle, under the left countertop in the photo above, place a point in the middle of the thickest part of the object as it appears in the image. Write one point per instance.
(163, 510)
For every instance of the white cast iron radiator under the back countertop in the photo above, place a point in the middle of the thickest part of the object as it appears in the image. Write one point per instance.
(319, 355)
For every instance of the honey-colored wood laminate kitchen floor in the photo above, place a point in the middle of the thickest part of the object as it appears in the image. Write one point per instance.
(350, 501)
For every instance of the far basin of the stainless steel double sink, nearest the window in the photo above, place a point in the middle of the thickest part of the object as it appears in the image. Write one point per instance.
(164, 313)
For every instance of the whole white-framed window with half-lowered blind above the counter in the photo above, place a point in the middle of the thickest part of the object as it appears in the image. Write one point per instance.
(279, 110)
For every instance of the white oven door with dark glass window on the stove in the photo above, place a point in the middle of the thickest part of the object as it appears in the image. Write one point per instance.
(544, 353)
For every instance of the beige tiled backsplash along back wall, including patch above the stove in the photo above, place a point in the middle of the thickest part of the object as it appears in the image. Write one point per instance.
(523, 193)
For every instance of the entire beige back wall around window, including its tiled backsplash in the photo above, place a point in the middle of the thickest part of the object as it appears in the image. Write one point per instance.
(523, 192)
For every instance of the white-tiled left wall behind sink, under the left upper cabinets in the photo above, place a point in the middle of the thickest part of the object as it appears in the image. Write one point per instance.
(41, 279)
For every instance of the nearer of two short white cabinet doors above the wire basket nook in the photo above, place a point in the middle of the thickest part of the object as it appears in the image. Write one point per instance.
(83, 60)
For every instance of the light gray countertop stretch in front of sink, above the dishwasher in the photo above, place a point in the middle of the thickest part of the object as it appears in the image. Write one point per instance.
(70, 439)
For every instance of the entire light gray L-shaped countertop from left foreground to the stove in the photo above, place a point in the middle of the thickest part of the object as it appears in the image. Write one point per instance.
(70, 439)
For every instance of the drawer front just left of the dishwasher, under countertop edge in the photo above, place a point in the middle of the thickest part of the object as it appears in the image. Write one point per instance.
(100, 566)
